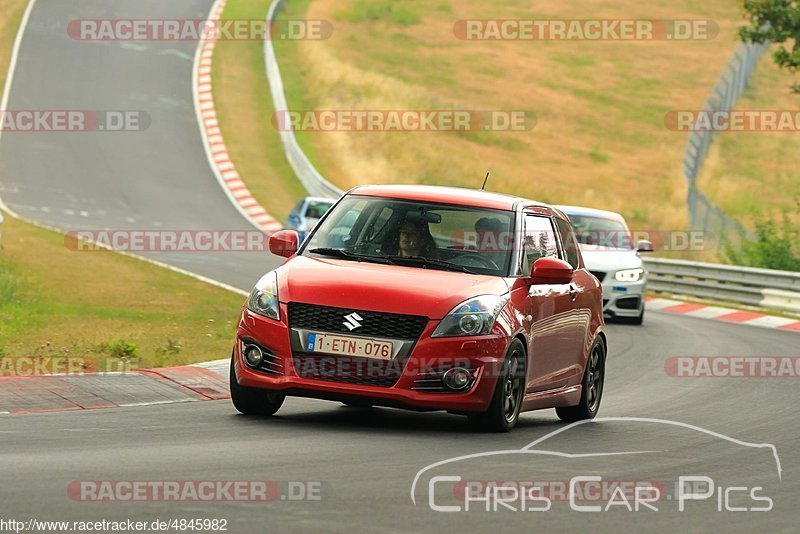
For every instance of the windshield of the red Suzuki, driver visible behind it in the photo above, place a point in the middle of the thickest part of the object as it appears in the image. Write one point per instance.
(416, 234)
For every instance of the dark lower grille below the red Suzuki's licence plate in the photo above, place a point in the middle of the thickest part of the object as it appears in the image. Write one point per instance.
(348, 369)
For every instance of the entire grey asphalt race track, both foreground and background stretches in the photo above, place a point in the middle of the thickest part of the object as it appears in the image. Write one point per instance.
(363, 460)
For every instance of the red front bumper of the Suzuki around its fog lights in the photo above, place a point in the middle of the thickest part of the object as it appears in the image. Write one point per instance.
(483, 355)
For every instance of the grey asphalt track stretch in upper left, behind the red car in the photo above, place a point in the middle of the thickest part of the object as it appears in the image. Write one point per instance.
(155, 179)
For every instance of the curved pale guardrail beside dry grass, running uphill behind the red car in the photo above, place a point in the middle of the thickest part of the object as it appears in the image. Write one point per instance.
(309, 176)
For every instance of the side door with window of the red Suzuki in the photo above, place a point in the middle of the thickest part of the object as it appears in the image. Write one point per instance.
(555, 340)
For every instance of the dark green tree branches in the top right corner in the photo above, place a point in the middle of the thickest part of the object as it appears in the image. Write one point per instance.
(777, 21)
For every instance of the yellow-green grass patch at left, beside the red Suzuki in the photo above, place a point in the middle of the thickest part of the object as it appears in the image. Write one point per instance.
(91, 305)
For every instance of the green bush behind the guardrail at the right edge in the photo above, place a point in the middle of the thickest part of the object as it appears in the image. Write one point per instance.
(775, 247)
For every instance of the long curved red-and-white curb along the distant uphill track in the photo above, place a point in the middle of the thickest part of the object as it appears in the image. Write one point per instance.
(216, 151)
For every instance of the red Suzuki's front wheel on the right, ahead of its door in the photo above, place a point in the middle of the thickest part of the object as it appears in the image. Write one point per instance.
(503, 412)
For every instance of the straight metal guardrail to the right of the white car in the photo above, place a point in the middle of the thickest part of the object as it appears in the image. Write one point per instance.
(765, 288)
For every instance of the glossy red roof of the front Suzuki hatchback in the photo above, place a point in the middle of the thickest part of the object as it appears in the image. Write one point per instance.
(446, 195)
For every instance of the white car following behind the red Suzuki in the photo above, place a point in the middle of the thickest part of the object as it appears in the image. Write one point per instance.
(609, 253)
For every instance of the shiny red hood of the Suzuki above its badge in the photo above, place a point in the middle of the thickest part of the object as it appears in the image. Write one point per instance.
(377, 287)
